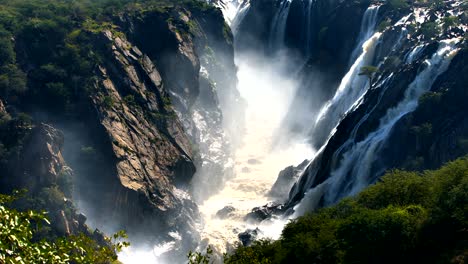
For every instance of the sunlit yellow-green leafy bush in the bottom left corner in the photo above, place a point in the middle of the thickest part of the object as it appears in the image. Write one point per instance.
(19, 241)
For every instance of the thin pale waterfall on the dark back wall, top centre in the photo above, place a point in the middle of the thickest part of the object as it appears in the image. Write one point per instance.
(278, 28)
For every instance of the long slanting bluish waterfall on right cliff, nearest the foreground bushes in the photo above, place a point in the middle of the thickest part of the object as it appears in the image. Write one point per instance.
(359, 160)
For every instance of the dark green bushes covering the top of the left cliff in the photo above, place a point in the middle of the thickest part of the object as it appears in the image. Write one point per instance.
(47, 54)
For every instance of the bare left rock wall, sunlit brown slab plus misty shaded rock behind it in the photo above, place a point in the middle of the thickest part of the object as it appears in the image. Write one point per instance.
(155, 115)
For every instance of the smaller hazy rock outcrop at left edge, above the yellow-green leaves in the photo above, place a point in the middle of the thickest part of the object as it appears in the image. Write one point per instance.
(35, 163)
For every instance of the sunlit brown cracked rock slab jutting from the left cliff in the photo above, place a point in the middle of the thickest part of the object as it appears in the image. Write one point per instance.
(152, 154)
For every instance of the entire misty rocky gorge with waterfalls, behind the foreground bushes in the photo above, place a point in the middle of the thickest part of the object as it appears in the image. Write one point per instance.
(202, 124)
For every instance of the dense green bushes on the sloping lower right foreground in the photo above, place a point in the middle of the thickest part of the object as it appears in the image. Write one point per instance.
(407, 217)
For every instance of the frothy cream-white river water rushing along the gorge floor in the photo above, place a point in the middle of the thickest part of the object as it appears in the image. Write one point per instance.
(261, 156)
